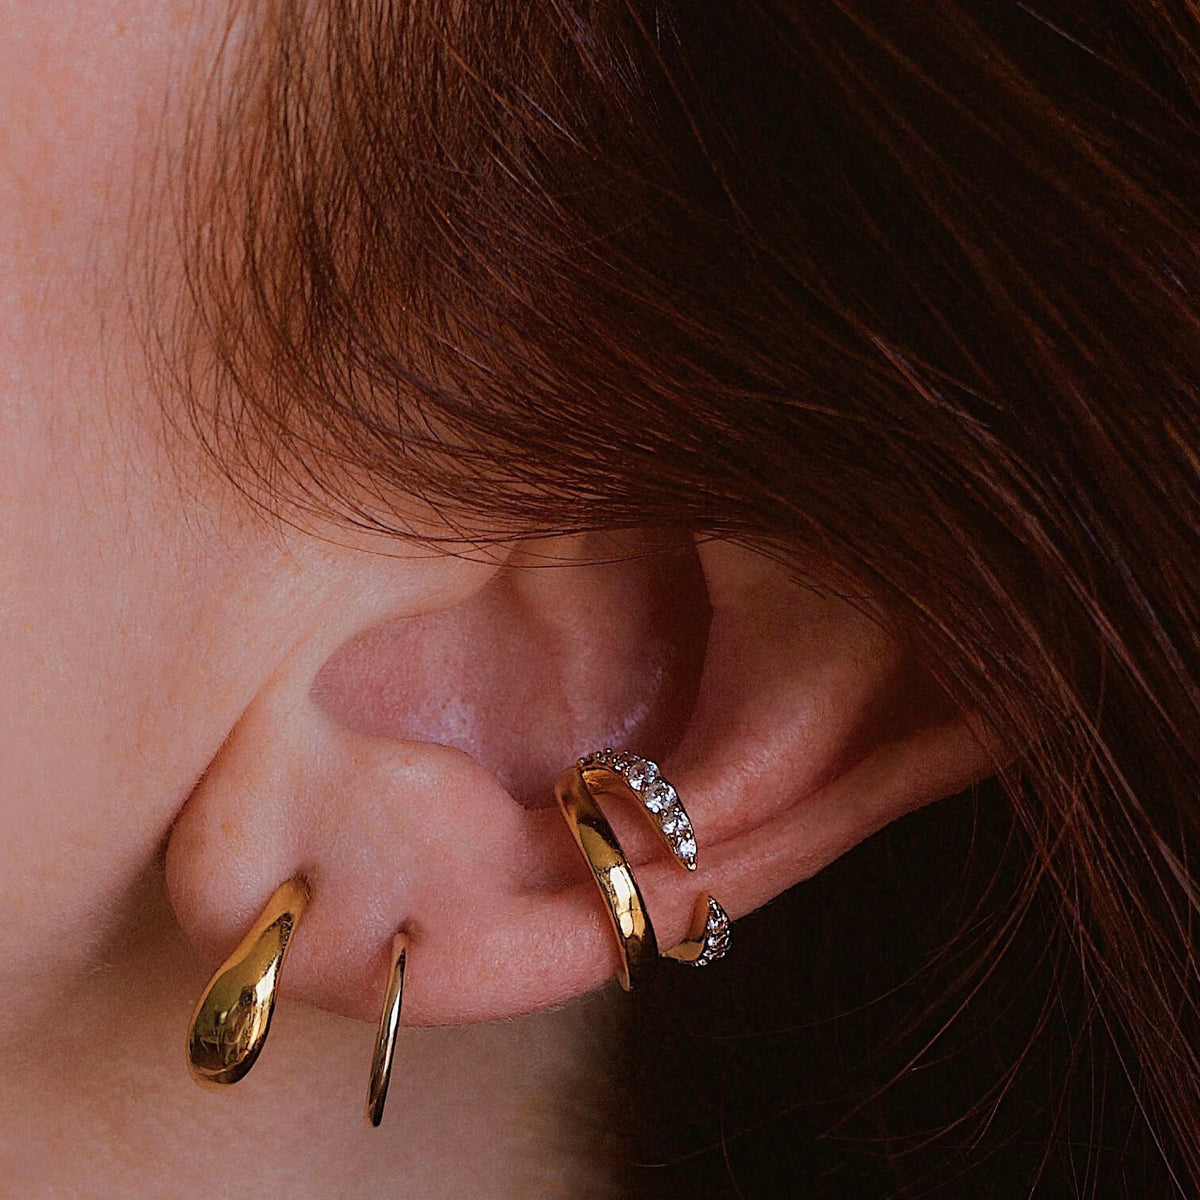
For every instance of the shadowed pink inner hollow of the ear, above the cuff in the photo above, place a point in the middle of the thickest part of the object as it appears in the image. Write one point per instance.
(578, 643)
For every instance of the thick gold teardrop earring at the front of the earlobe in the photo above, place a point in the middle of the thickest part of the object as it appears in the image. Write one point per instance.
(233, 1017)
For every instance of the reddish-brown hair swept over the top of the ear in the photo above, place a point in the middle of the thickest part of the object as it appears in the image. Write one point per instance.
(905, 293)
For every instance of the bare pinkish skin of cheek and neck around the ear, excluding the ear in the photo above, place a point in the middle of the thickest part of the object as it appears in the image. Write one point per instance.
(139, 621)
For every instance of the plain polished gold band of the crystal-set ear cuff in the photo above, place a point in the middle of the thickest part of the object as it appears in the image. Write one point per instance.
(611, 871)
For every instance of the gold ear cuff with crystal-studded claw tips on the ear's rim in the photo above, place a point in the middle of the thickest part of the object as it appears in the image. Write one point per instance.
(623, 777)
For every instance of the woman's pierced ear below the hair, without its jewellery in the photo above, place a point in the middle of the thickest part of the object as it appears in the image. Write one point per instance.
(382, 760)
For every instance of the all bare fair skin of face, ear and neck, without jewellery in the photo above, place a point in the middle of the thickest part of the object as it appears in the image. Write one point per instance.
(244, 700)
